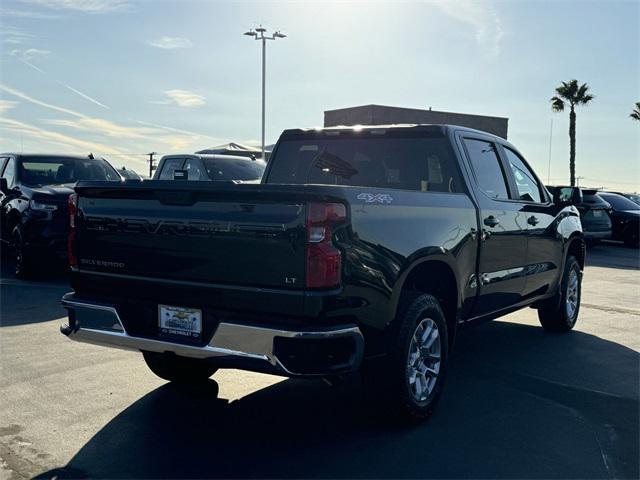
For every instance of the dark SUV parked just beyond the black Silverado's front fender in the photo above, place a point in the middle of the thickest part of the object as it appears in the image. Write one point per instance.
(594, 214)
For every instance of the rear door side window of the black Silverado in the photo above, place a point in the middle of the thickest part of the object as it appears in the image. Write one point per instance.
(486, 166)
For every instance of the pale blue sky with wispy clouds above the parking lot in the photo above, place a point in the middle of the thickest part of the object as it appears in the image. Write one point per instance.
(121, 78)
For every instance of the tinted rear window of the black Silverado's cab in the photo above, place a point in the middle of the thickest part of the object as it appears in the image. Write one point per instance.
(412, 163)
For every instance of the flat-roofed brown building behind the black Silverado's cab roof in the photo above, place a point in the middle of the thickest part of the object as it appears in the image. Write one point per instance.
(381, 115)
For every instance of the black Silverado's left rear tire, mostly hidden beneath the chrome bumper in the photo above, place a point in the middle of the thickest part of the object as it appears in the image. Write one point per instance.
(178, 369)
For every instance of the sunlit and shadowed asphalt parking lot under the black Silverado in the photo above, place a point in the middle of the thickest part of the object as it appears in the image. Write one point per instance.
(519, 403)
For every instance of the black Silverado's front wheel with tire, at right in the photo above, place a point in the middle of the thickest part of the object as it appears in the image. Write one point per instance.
(557, 315)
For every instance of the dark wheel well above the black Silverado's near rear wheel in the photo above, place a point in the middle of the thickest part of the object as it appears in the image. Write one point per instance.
(435, 278)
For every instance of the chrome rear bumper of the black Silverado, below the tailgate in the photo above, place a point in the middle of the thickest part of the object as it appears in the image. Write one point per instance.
(101, 325)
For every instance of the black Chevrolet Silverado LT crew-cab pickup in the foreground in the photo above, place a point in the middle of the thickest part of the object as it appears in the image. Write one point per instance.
(362, 249)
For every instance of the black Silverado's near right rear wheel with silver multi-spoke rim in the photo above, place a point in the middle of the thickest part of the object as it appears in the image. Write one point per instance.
(392, 379)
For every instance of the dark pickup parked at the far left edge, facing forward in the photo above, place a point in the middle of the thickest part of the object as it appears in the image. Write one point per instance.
(33, 202)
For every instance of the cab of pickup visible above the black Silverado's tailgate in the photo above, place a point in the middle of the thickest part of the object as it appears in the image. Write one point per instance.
(210, 168)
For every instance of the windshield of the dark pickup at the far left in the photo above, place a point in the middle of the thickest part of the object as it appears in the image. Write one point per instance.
(43, 171)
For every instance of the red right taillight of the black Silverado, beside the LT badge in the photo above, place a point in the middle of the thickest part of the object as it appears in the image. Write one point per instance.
(324, 260)
